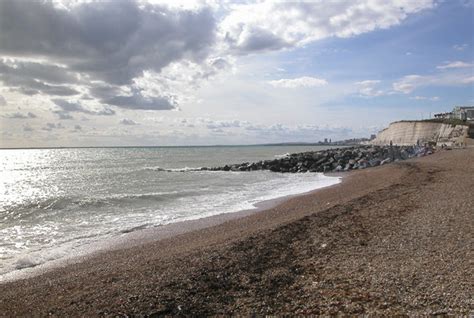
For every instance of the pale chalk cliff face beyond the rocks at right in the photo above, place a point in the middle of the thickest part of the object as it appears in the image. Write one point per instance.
(411, 132)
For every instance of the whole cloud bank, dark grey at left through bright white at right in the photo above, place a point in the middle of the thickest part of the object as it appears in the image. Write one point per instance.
(149, 56)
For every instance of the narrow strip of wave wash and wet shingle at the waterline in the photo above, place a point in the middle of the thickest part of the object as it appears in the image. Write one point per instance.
(140, 236)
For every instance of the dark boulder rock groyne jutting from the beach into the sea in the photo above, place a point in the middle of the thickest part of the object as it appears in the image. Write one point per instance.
(340, 159)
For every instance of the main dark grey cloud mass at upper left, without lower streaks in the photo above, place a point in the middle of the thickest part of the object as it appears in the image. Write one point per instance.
(112, 41)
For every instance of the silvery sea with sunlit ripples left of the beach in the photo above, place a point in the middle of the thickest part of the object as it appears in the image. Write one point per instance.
(54, 202)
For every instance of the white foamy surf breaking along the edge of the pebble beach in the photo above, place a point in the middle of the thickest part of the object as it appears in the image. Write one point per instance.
(237, 198)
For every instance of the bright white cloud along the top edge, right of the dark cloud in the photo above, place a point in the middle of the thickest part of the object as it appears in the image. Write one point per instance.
(273, 25)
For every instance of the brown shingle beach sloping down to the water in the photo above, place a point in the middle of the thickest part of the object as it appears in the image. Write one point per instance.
(395, 239)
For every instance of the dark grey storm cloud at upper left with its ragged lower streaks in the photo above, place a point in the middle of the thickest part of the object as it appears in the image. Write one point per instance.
(110, 42)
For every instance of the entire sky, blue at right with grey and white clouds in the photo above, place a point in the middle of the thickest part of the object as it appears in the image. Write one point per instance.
(151, 73)
